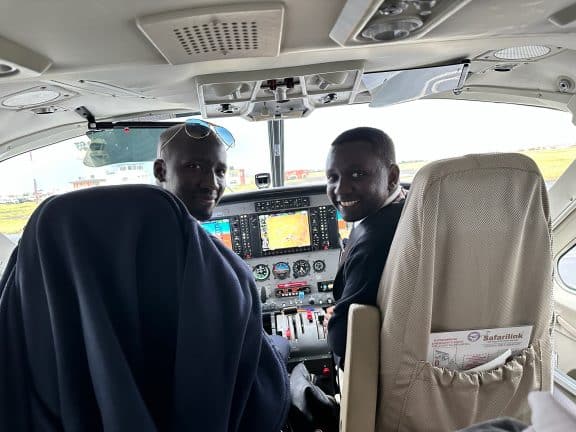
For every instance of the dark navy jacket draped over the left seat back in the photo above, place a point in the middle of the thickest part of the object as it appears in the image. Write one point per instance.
(119, 313)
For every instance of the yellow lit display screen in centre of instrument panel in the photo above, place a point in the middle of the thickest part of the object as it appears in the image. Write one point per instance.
(284, 230)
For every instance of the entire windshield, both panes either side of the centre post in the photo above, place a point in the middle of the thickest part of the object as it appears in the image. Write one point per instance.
(422, 131)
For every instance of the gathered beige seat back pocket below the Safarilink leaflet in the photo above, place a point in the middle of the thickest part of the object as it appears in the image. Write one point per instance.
(439, 399)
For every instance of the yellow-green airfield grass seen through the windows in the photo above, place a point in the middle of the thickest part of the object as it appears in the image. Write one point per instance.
(552, 163)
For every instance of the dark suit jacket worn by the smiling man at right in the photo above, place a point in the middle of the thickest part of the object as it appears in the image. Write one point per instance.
(360, 271)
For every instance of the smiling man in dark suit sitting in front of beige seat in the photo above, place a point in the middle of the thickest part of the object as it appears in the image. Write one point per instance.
(363, 184)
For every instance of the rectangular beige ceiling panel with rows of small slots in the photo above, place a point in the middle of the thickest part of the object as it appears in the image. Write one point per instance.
(193, 35)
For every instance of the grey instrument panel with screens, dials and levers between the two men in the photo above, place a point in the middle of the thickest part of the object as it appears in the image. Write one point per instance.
(290, 238)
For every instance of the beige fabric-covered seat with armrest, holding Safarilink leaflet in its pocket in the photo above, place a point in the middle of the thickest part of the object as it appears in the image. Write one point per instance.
(472, 251)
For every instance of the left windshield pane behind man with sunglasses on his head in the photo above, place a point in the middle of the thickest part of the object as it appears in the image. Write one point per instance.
(29, 178)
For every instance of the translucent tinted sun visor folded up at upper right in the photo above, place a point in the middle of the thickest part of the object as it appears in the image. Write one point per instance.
(388, 88)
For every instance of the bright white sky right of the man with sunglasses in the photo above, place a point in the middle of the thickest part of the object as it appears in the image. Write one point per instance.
(421, 130)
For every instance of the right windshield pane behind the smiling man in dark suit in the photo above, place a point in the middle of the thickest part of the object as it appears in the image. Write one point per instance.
(428, 130)
